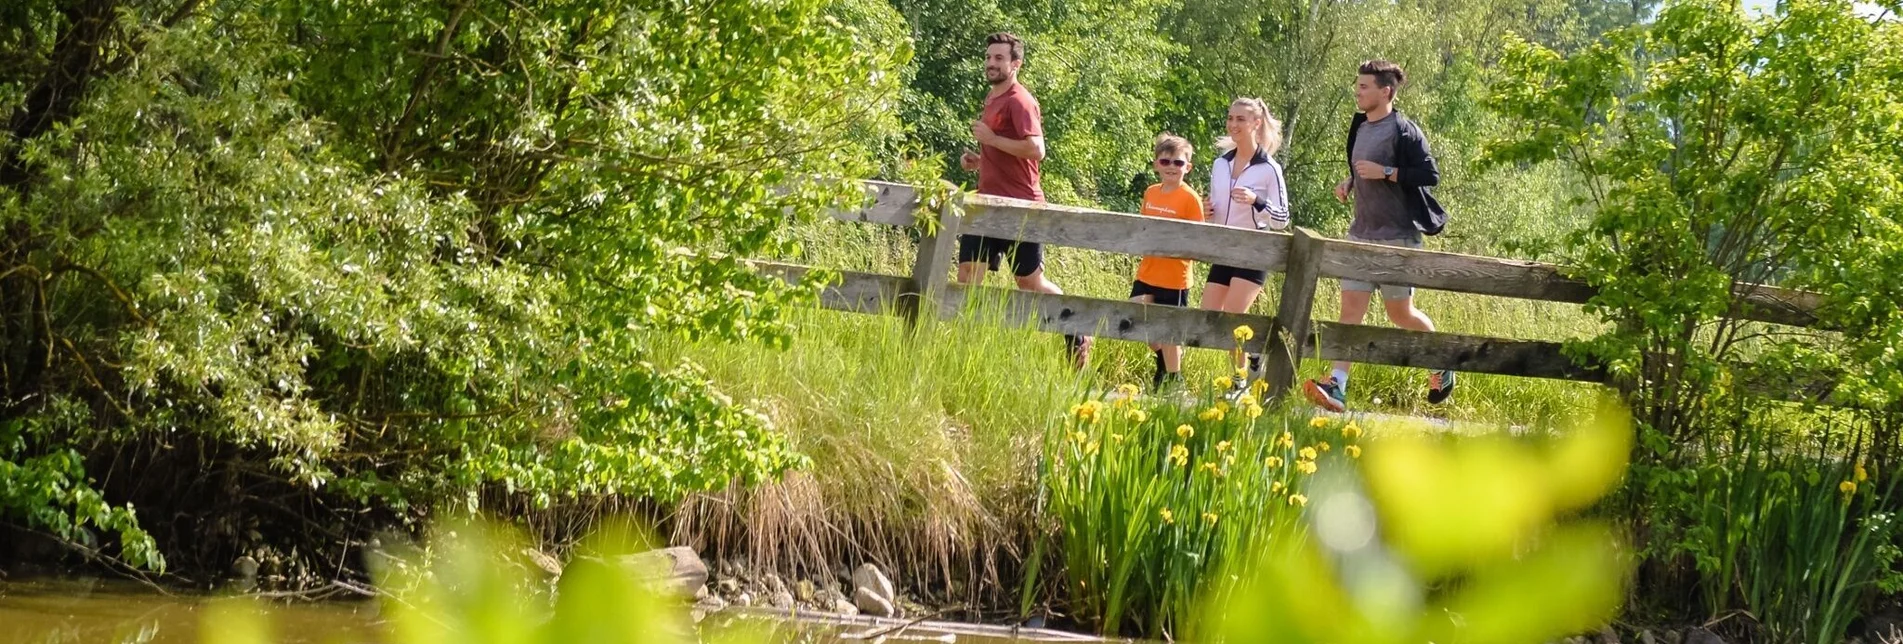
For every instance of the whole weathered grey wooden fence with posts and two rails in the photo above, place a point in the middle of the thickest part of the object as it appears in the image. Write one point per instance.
(1303, 258)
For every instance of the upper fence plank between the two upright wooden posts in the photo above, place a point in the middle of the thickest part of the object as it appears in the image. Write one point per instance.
(1120, 233)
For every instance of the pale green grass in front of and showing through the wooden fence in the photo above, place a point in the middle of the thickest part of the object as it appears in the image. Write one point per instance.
(924, 447)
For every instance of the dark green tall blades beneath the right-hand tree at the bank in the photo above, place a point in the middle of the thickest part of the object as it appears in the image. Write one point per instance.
(1795, 533)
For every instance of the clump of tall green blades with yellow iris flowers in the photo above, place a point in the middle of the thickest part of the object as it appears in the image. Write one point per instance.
(1156, 498)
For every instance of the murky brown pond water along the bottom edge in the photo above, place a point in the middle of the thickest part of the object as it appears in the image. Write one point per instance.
(92, 611)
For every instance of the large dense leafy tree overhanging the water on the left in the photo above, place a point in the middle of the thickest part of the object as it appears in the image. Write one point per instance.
(391, 256)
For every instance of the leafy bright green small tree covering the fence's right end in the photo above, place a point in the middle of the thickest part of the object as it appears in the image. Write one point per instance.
(1725, 151)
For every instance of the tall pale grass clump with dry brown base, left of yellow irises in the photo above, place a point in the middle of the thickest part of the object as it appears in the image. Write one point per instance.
(922, 443)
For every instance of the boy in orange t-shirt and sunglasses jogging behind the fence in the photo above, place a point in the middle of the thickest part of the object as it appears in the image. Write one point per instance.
(1166, 281)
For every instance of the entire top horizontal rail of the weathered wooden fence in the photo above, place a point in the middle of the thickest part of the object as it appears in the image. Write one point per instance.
(1135, 235)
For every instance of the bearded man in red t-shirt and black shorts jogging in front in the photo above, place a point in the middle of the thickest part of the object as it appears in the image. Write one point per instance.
(1011, 142)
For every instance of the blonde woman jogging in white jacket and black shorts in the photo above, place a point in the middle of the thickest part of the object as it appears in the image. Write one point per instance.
(1246, 191)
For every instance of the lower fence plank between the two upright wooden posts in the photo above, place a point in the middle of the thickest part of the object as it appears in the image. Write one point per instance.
(1114, 319)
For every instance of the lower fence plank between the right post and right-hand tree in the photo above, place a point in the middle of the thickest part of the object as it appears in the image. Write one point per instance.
(1449, 352)
